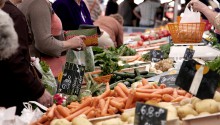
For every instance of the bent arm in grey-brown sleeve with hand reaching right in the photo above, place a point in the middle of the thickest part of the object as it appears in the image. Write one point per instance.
(40, 18)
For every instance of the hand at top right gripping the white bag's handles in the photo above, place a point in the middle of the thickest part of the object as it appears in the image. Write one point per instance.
(197, 5)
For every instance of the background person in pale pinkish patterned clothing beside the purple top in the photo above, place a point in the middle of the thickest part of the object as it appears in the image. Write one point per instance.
(95, 9)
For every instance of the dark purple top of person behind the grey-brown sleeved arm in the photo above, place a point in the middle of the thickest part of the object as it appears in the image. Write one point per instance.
(71, 14)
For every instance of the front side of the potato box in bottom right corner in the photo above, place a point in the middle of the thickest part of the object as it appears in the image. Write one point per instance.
(212, 119)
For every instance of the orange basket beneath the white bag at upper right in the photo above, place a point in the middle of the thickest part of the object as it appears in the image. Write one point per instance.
(186, 32)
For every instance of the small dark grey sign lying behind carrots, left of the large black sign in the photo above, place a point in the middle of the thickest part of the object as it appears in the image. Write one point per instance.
(169, 80)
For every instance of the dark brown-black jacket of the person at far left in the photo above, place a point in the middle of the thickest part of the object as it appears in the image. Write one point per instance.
(20, 82)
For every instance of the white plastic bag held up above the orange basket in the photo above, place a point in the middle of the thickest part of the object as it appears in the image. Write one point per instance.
(189, 16)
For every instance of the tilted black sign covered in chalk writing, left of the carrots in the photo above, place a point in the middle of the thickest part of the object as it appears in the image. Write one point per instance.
(72, 79)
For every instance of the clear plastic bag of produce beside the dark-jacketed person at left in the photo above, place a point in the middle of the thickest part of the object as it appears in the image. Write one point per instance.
(48, 78)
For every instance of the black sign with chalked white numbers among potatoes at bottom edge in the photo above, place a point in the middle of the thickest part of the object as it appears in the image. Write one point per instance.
(149, 115)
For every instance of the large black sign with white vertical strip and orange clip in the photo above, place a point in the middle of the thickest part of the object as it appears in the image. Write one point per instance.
(190, 74)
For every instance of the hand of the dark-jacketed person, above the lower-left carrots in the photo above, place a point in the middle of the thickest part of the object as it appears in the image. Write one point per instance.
(46, 99)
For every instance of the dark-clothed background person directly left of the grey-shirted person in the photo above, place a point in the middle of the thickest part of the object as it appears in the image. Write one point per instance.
(126, 11)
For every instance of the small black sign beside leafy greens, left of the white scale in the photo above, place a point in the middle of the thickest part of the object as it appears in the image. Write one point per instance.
(156, 55)
